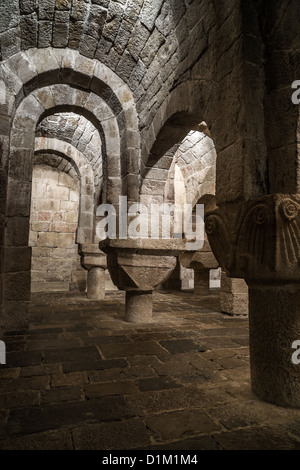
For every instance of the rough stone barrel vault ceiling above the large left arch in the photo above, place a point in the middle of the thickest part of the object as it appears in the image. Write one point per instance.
(151, 44)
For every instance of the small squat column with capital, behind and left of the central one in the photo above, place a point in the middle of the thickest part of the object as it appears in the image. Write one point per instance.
(94, 260)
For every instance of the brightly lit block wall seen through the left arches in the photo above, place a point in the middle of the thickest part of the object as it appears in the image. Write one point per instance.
(53, 223)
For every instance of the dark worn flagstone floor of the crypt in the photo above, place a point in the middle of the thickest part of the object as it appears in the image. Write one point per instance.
(82, 378)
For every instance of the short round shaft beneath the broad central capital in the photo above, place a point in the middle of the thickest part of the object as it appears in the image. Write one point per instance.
(138, 307)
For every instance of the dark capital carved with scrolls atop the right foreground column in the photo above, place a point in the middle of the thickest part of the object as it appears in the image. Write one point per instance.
(258, 240)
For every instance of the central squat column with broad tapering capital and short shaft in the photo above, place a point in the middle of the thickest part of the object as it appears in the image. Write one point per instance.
(139, 267)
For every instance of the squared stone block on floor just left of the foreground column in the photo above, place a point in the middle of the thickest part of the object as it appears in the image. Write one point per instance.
(233, 295)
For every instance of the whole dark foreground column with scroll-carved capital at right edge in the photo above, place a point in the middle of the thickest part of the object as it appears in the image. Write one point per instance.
(261, 245)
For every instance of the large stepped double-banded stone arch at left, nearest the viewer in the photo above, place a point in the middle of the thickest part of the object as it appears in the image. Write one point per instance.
(41, 83)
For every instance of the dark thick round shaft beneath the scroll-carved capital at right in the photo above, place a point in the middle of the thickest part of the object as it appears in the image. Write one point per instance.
(274, 318)
